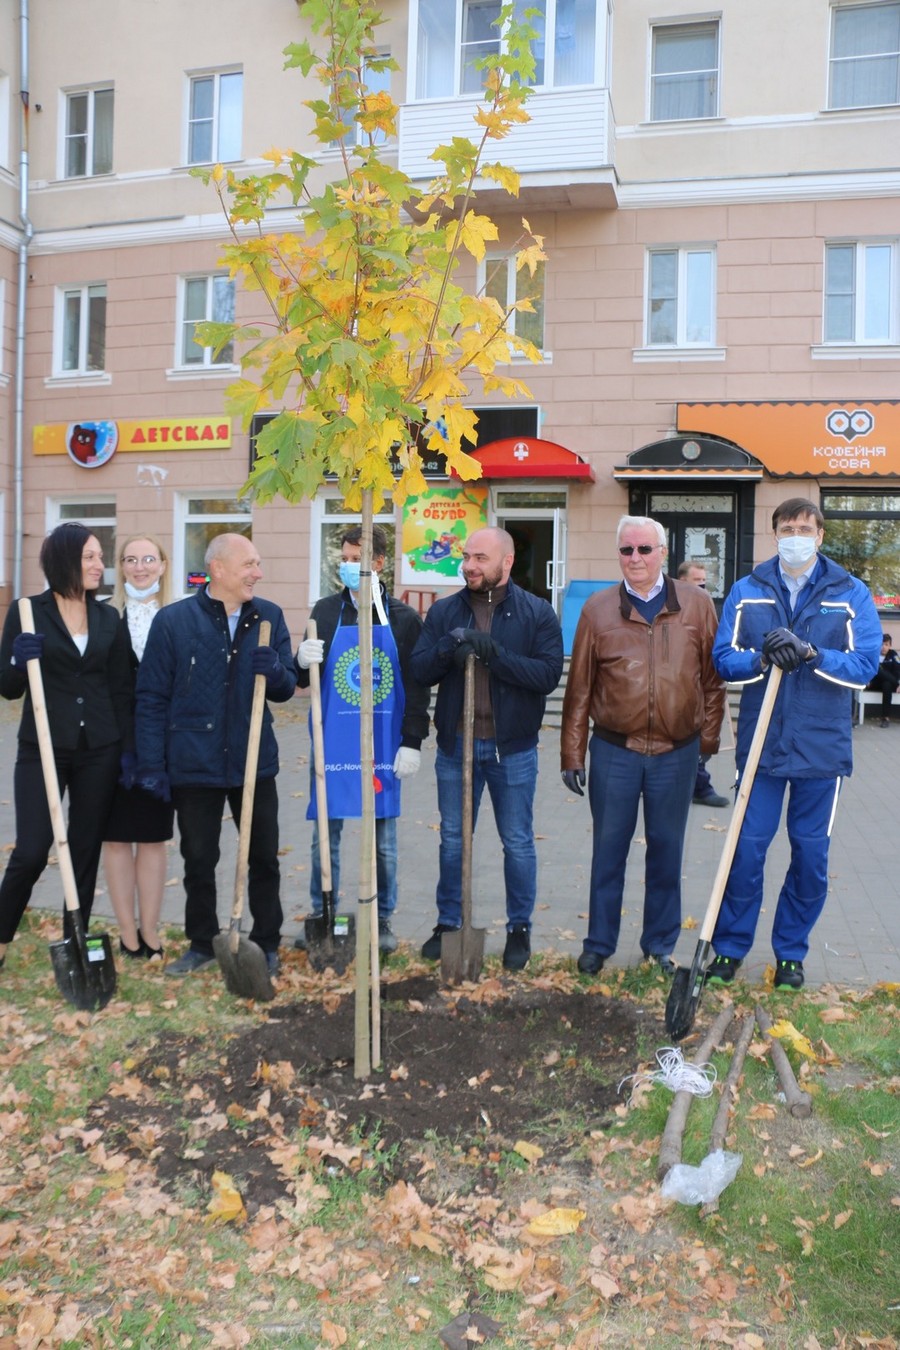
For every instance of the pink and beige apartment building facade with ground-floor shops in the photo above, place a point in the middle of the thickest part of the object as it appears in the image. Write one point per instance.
(719, 317)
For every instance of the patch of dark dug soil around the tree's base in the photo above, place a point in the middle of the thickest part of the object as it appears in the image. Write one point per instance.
(526, 1062)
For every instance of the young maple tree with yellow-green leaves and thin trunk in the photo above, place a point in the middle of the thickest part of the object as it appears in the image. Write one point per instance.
(369, 334)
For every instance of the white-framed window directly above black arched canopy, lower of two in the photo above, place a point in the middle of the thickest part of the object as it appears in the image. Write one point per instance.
(681, 298)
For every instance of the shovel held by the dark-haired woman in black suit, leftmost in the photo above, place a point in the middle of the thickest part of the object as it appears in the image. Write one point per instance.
(84, 966)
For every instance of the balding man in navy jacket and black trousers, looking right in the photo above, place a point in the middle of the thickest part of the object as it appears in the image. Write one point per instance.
(192, 723)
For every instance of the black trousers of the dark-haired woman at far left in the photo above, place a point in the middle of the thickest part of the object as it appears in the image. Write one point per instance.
(90, 778)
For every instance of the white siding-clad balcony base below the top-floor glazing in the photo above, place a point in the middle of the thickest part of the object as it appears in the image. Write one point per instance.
(565, 155)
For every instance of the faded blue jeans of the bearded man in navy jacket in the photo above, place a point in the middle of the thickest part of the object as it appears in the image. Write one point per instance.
(511, 782)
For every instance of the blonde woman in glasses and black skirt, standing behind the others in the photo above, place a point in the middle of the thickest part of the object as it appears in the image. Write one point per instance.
(134, 854)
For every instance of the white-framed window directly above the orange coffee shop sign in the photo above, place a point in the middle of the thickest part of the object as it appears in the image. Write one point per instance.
(862, 292)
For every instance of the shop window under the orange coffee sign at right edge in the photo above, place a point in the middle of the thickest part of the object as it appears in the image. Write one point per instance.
(863, 534)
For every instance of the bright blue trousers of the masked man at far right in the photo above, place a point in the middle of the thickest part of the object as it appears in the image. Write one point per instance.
(812, 809)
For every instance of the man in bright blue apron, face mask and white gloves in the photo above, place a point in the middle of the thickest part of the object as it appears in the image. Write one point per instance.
(400, 720)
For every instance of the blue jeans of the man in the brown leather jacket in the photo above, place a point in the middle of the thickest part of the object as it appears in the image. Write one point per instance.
(617, 782)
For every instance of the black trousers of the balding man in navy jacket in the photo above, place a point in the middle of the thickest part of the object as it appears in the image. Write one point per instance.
(200, 812)
